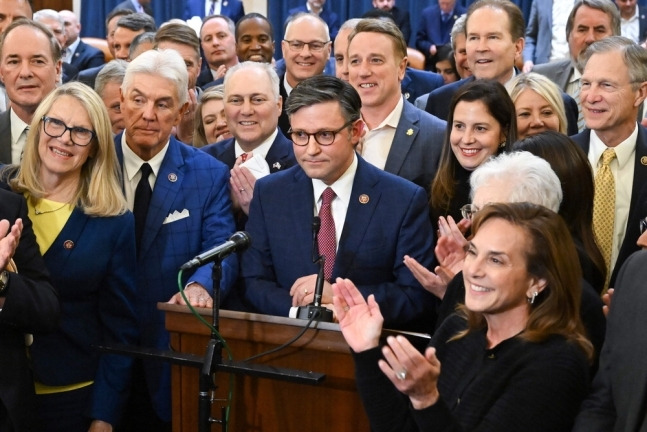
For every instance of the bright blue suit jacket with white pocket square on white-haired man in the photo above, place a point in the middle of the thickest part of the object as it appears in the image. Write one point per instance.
(193, 182)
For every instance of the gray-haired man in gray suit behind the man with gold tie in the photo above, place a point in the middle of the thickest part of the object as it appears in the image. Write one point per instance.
(589, 21)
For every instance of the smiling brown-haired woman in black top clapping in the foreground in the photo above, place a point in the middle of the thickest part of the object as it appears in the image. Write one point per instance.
(514, 360)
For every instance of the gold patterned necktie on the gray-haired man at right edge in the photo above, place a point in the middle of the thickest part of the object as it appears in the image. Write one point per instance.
(604, 204)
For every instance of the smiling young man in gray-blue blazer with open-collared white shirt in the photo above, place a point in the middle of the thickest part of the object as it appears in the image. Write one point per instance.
(401, 139)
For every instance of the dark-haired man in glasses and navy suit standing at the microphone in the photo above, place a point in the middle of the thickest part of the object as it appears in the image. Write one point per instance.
(378, 217)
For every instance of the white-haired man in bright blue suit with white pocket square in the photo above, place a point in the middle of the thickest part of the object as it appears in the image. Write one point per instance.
(189, 212)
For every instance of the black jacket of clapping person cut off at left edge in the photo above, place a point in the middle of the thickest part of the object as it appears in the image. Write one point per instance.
(31, 306)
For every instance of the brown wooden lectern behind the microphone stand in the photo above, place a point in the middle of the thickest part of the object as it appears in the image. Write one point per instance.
(263, 404)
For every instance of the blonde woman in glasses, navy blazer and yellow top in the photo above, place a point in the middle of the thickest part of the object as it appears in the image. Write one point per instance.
(70, 176)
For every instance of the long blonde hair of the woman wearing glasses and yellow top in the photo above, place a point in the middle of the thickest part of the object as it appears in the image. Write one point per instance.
(99, 191)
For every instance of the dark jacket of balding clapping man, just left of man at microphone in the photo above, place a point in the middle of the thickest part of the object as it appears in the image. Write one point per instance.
(280, 156)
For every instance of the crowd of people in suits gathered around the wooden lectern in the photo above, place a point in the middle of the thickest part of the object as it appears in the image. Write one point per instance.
(499, 205)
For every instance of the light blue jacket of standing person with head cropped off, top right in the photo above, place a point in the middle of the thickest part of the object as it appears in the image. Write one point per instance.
(539, 32)
